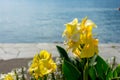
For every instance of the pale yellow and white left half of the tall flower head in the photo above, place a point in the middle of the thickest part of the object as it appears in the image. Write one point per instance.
(72, 34)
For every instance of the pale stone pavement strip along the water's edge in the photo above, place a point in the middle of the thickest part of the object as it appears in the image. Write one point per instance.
(28, 50)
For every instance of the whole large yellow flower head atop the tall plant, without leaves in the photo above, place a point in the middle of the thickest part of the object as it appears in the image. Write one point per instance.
(79, 38)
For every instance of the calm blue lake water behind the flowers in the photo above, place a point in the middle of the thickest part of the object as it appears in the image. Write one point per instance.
(43, 20)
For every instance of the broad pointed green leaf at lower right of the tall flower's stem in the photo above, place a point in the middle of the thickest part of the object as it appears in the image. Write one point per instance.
(101, 67)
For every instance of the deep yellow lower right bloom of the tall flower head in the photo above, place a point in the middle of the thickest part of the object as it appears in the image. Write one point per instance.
(89, 49)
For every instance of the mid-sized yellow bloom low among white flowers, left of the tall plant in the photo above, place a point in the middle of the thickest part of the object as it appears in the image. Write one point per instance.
(42, 64)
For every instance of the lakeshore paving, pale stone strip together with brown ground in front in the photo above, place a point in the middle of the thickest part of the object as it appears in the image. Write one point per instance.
(14, 55)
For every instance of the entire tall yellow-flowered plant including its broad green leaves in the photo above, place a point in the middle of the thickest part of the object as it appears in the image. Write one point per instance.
(87, 65)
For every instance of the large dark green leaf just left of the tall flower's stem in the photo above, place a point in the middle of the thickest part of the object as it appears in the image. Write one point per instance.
(70, 71)
